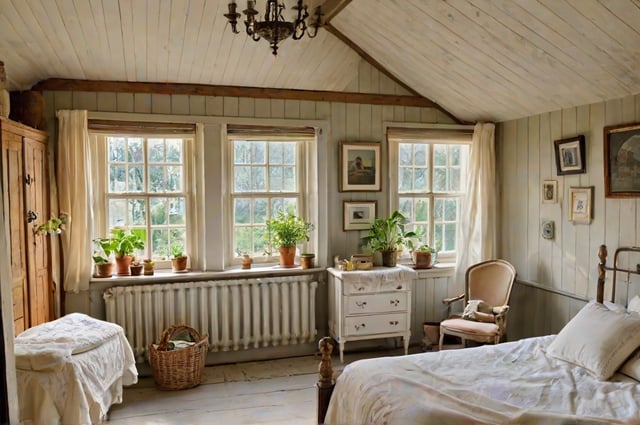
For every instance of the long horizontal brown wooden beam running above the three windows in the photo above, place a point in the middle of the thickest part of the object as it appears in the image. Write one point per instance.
(60, 84)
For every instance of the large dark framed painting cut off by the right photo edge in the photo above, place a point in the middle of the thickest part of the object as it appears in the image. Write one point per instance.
(622, 161)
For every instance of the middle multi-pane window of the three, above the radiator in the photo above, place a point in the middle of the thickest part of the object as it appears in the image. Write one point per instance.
(267, 176)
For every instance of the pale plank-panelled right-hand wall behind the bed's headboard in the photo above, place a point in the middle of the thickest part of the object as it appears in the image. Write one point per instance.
(567, 264)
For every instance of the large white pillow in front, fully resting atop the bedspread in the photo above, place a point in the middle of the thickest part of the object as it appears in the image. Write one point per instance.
(597, 339)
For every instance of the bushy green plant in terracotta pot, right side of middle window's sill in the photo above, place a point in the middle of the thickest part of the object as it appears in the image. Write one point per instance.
(285, 231)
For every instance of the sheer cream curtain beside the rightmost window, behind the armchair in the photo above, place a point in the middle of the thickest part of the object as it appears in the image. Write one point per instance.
(477, 236)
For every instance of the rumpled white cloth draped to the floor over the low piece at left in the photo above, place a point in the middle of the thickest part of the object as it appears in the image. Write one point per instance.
(71, 370)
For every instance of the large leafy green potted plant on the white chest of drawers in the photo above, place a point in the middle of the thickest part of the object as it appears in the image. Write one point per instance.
(387, 235)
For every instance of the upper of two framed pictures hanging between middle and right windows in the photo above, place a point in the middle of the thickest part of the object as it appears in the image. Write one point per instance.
(359, 167)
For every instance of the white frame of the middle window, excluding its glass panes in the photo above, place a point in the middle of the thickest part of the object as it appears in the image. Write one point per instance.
(305, 191)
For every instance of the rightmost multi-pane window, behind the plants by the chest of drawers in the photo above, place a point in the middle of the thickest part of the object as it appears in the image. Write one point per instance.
(431, 173)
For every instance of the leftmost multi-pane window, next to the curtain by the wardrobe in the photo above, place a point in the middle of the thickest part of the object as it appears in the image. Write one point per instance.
(141, 182)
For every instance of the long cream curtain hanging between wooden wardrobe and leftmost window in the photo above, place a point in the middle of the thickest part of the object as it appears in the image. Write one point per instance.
(74, 196)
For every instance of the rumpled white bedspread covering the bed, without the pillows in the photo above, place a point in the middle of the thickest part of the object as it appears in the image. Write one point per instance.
(510, 383)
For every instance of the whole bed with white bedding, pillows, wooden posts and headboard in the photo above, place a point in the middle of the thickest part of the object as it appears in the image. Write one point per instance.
(587, 374)
